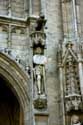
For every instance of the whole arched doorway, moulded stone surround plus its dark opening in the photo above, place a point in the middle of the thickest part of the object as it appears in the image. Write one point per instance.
(14, 93)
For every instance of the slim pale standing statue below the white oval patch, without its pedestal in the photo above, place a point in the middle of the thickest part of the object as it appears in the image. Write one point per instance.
(39, 76)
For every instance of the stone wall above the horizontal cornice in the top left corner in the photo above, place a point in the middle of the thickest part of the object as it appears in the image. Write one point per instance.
(16, 8)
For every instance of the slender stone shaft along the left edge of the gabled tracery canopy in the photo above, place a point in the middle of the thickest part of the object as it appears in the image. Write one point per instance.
(62, 90)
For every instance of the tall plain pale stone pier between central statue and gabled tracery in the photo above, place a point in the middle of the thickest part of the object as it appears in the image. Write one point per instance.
(54, 35)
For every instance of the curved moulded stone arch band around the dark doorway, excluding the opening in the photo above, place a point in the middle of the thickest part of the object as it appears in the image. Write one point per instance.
(18, 83)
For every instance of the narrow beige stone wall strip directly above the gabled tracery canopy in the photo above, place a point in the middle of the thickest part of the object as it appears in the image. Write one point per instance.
(68, 21)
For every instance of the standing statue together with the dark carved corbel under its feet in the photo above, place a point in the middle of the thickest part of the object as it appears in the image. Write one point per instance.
(40, 100)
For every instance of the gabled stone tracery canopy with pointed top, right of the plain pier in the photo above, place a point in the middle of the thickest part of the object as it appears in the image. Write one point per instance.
(71, 84)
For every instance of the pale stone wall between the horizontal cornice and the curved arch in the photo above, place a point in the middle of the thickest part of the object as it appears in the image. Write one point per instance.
(15, 38)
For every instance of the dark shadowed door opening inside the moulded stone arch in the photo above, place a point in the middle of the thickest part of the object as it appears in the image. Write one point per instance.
(10, 109)
